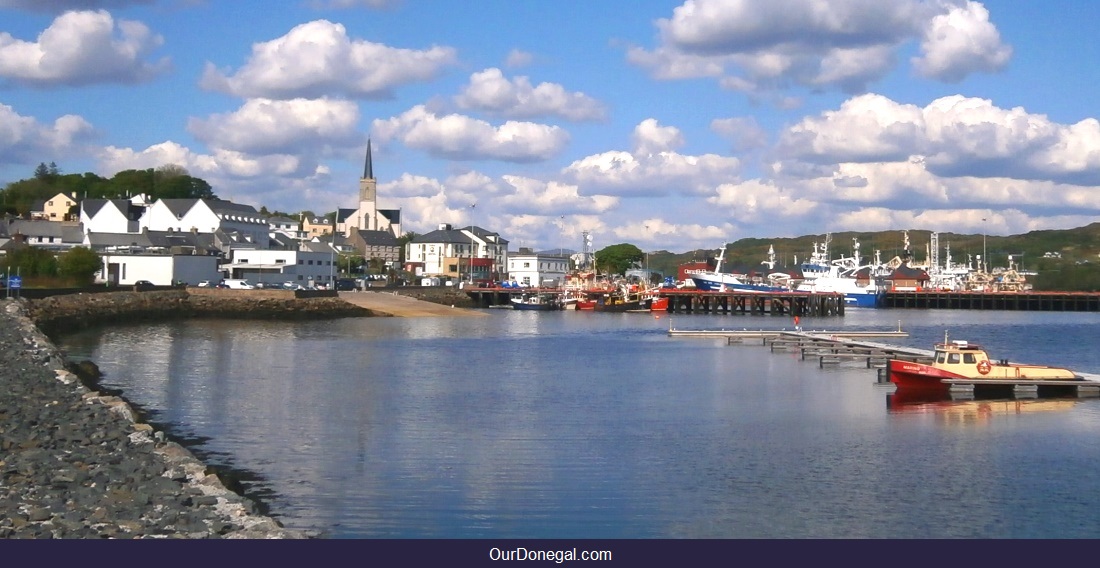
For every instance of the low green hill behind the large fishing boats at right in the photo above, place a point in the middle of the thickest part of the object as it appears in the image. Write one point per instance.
(1079, 268)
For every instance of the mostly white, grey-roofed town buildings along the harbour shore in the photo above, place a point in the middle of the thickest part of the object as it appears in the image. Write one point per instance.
(193, 241)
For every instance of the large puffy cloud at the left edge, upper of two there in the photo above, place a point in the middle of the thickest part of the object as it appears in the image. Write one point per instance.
(83, 49)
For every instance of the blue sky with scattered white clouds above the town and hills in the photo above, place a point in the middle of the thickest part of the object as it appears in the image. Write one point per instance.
(669, 125)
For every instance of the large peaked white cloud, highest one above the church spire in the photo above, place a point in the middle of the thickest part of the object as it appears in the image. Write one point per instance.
(318, 59)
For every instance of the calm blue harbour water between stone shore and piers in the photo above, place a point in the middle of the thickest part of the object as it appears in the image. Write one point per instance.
(566, 425)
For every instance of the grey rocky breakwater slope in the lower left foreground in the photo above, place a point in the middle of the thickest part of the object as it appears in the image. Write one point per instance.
(75, 464)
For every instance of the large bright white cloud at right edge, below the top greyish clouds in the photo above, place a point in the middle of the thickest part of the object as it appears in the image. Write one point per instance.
(954, 137)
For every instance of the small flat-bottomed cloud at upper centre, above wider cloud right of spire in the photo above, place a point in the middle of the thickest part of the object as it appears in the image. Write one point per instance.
(491, 92)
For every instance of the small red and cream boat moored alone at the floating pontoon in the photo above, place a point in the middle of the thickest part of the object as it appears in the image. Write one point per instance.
(963, 361)
